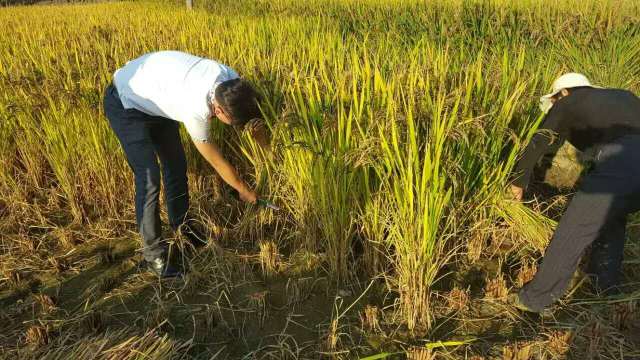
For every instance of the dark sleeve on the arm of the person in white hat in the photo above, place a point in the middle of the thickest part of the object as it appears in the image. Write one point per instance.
(547, 136)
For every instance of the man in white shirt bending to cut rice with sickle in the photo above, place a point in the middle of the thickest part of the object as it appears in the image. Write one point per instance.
(149, 98)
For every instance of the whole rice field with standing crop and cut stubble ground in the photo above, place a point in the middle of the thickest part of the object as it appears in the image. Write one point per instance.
(394, 129)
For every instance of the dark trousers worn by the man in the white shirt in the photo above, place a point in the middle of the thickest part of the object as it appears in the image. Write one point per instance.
(145, 139)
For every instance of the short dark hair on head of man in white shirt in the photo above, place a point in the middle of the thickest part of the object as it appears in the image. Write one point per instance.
(238, 98)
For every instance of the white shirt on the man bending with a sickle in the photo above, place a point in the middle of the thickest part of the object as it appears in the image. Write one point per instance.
(173, 85)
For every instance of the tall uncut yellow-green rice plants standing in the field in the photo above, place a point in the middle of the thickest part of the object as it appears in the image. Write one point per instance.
(395, 124)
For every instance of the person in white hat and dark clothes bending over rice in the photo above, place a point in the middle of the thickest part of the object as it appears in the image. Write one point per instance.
(606, 124)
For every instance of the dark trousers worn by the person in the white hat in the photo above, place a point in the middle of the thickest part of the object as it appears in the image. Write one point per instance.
(597, 216)
